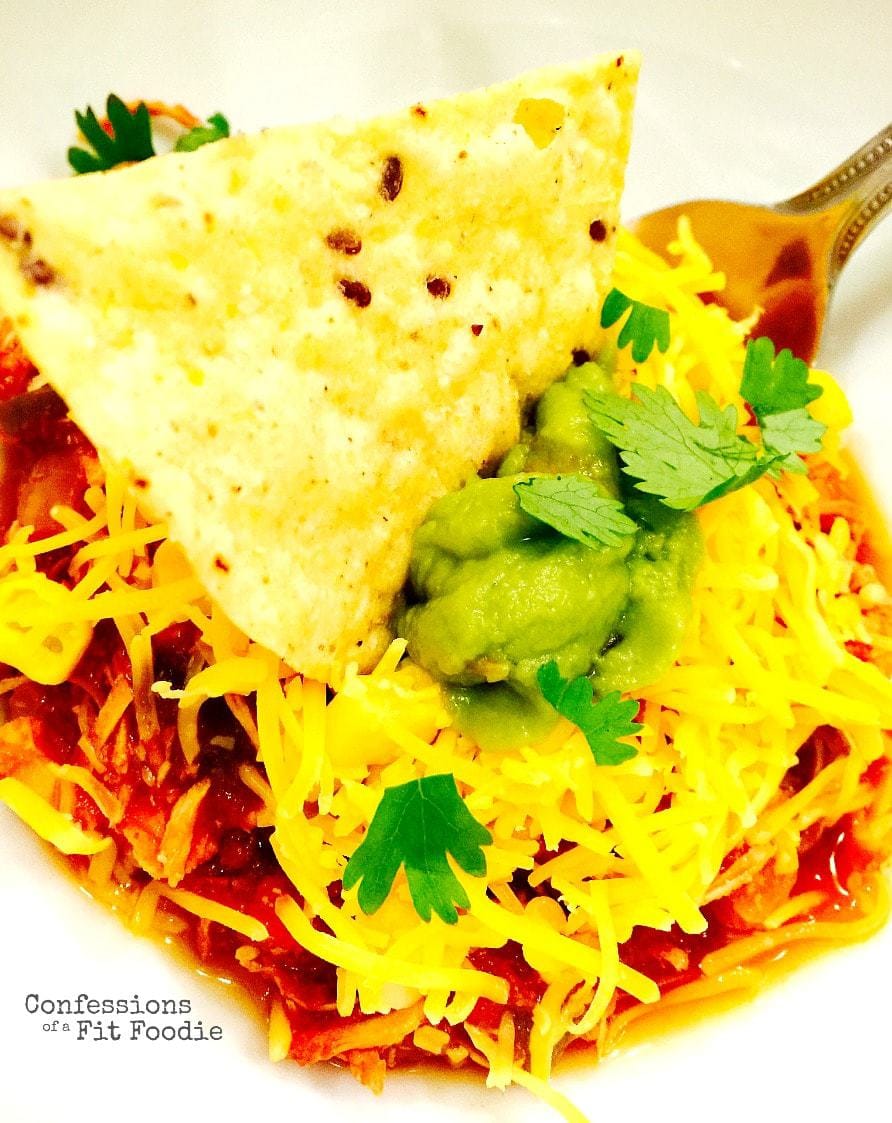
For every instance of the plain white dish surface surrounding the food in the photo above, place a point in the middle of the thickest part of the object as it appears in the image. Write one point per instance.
(738, 101)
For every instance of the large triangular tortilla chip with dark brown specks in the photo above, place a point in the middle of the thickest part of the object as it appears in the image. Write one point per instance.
(293, 343)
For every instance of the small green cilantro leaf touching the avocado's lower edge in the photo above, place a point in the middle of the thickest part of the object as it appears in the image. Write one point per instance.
(603, 724)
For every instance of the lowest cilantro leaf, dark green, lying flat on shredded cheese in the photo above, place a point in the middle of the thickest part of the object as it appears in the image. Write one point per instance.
(416, 826)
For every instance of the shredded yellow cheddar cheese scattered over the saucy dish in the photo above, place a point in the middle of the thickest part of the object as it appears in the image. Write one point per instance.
(647, 845)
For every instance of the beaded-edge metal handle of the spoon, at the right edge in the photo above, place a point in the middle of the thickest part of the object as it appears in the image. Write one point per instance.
(864, 181)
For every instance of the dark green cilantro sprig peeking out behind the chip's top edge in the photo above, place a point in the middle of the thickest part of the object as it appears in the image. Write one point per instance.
(129, 139)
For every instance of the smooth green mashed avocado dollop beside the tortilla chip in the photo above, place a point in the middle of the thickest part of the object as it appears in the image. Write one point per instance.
(498, 594)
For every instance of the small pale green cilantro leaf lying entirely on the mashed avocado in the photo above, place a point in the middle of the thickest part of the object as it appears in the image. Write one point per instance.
(576, 508)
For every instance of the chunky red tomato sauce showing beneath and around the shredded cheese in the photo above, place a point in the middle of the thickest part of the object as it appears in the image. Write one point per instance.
(232, 859)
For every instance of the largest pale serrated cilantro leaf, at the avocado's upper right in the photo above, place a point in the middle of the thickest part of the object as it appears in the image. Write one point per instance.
(687, 465)
